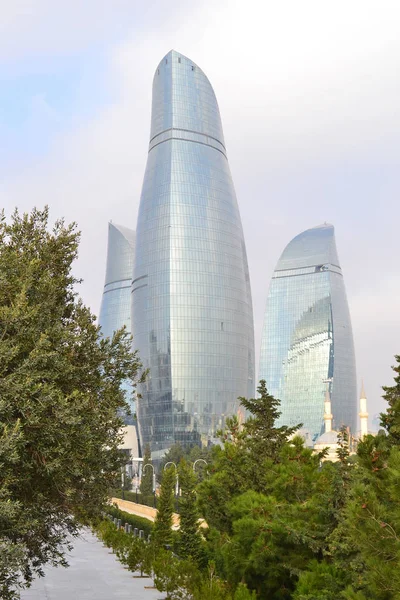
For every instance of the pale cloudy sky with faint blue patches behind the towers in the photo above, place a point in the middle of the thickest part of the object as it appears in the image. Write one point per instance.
(309, 93)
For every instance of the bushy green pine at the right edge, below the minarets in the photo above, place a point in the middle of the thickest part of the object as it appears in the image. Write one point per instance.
(360, 560)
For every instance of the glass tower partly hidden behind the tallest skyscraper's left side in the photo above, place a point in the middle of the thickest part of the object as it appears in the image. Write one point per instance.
(115, 309)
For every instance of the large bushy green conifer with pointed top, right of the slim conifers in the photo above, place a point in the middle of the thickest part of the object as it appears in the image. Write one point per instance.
(274, 511)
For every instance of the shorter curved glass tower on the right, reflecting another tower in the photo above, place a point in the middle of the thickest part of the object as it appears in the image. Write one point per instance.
(307, 341)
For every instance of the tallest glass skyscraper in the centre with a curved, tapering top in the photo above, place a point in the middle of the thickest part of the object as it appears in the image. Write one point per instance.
(191, 300)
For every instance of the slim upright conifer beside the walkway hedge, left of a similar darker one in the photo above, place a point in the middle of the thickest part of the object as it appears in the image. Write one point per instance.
(162, 532)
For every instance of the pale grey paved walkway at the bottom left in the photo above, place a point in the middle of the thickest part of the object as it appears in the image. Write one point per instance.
(94, 574)
